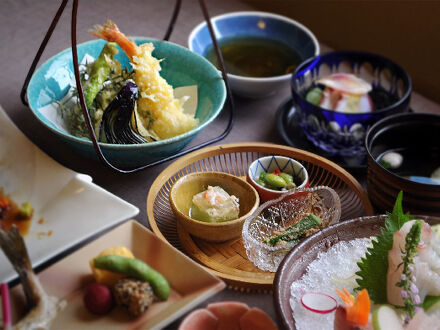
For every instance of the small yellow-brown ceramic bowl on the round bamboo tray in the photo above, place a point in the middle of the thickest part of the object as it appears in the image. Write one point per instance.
(186, 187)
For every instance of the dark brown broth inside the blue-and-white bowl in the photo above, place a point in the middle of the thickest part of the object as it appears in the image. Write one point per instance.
(257, 57)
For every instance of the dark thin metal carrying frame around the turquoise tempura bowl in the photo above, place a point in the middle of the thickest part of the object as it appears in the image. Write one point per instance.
(229, 104)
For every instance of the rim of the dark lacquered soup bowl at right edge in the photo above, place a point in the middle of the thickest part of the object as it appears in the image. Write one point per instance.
(391, 119)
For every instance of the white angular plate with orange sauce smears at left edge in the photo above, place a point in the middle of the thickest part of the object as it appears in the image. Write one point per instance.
(68, 207)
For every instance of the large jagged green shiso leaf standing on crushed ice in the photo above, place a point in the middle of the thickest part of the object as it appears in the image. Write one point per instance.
(373, 266)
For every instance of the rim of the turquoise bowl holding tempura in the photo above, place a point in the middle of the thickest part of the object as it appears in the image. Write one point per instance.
(174, 139)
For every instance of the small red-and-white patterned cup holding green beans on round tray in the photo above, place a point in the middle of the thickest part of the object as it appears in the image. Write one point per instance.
(269, 164)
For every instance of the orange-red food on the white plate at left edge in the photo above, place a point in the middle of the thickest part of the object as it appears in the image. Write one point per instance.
(10, 216)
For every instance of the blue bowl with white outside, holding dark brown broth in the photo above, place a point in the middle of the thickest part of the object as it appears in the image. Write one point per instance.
(256, 24)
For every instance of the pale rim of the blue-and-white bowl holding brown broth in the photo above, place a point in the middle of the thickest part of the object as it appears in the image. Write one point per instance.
(214, 19)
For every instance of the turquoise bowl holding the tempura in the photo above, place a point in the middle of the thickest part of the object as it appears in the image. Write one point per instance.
(180, 67)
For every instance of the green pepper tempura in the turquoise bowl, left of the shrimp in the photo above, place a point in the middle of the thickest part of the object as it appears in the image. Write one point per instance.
(100, 70)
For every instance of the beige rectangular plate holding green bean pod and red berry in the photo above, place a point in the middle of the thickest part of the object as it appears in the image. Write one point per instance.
(190, 283)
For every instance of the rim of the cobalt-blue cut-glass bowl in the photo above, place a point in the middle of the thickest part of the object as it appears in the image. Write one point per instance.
(305, 66)
